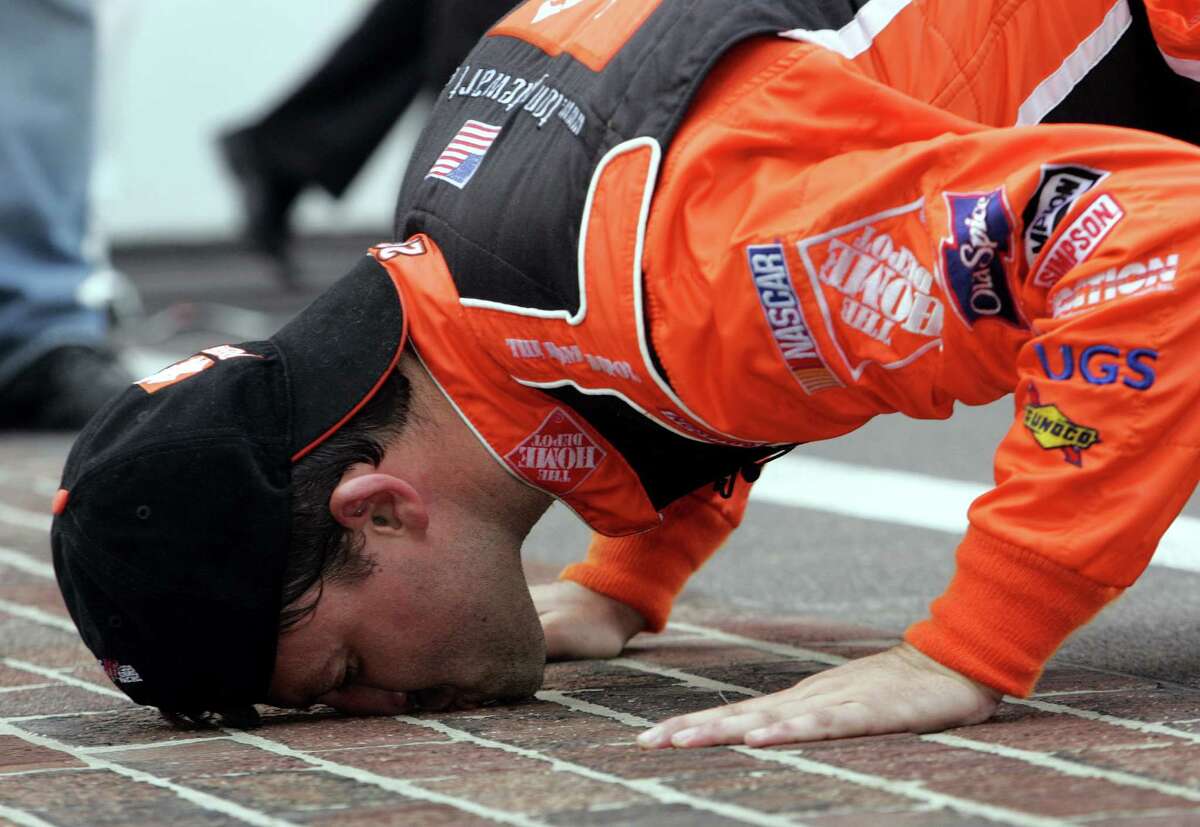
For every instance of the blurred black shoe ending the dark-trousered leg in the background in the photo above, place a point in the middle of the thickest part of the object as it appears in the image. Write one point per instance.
(267, 201)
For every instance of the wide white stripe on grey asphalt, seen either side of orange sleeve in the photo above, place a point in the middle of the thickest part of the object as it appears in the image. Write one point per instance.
(907, 499)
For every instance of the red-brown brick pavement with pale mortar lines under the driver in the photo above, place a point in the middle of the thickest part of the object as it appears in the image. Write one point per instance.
(1093, 748)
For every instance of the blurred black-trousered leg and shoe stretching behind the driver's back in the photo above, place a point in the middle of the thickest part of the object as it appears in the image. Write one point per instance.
(323, 134)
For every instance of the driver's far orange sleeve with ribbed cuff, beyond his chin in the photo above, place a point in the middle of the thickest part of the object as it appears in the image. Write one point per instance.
(649, 571)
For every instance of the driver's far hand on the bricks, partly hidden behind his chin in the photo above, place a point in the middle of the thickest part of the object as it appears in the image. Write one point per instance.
(581, 624)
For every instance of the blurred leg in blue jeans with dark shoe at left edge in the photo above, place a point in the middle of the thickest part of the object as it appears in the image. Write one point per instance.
(56, 365)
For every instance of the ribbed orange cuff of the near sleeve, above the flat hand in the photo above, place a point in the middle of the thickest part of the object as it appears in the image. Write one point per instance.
(1006, 613)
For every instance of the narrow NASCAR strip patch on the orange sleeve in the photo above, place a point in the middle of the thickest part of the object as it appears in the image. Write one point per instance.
(782, 307)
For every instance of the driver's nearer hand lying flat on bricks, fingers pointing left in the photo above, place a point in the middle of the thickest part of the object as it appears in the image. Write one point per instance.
(899, 691)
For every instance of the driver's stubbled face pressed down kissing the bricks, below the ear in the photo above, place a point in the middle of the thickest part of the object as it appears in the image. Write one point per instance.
(423, 631)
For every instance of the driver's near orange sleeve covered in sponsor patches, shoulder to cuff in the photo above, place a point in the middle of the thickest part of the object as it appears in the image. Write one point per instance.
(866, 207)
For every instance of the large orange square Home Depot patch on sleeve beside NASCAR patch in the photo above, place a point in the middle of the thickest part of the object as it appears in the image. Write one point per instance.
(880, 303)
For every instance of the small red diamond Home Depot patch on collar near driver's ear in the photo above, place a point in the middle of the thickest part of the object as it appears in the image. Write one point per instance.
(559, 457)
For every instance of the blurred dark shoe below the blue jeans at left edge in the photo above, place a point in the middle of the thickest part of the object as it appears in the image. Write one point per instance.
(62, 391)
